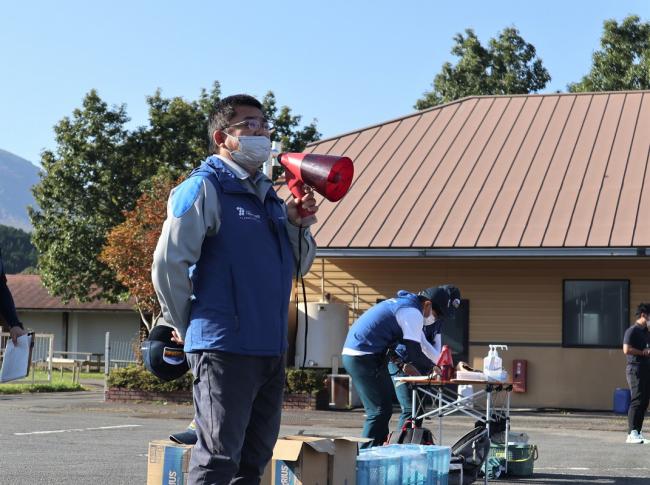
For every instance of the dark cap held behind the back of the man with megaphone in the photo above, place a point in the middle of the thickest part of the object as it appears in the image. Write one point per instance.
(162, 357)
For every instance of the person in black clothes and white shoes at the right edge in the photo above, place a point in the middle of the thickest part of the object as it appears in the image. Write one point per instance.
(636, 347)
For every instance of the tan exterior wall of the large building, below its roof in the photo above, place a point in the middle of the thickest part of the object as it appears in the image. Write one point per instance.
(511, 301)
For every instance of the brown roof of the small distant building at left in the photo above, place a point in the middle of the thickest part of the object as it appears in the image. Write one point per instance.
(30, 294)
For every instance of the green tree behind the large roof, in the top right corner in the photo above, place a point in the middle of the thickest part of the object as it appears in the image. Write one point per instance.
(623, 61)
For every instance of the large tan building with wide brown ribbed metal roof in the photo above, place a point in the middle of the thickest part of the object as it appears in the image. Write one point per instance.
(533, 205)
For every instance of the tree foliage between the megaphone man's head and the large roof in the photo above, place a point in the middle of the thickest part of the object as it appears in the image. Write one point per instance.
(286, 126)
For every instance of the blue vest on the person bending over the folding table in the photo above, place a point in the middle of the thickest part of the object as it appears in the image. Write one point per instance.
(377, 329)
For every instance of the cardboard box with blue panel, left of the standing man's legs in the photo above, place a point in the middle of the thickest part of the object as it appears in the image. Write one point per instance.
(168, 463)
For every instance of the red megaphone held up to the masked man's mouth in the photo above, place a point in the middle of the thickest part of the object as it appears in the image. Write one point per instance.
(329, 175)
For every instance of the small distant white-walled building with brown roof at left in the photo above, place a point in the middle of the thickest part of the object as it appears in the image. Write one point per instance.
(76, 326)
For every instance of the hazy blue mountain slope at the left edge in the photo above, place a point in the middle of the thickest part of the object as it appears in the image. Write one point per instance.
(17, 176)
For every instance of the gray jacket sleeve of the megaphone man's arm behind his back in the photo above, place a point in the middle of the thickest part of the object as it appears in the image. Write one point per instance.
(178, 248)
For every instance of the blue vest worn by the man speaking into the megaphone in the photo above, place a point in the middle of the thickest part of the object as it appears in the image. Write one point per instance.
(242, 281)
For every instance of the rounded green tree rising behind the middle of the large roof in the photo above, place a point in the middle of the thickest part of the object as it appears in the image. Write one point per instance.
(509, 65)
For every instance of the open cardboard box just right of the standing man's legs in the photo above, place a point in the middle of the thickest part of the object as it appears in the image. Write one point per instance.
(315, 460)
